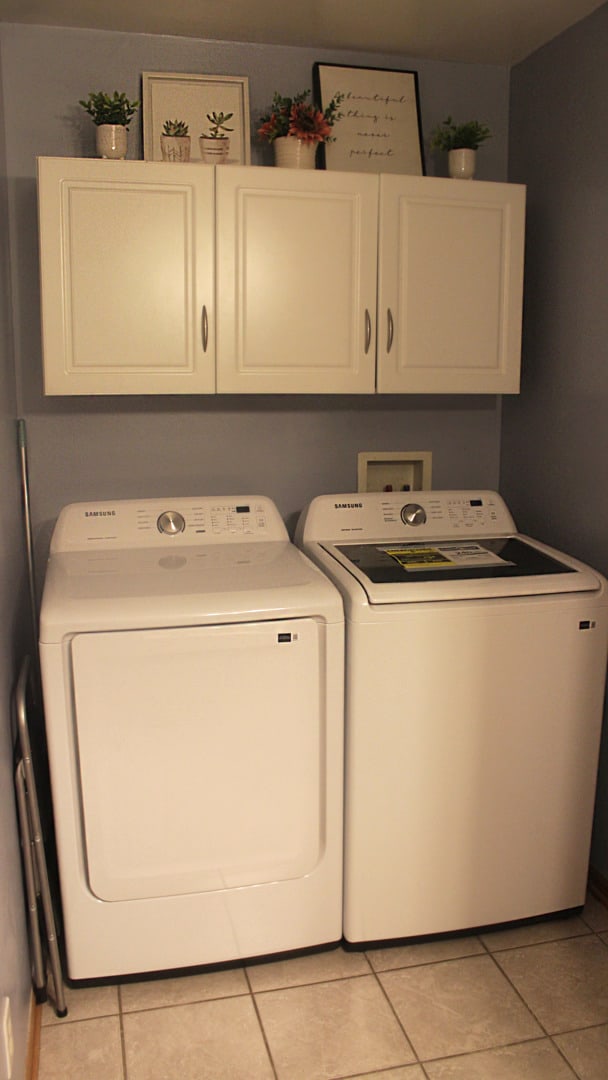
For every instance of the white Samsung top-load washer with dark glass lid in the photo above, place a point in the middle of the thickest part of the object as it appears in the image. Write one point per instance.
(476, 671)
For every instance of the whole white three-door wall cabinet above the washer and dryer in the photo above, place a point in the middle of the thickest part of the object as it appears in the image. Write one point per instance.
(183, 279)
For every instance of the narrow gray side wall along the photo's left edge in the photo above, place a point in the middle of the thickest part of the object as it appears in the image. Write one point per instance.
(15, 966)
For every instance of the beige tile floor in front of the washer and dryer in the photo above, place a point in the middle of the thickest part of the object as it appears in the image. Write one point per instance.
(528, 1004)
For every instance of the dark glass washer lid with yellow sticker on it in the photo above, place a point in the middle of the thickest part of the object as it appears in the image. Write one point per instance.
(402, 573)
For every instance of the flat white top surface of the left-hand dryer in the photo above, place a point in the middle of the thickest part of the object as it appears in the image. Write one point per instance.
(152, 588)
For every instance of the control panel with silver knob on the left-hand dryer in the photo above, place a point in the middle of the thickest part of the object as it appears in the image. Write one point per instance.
(168, 523)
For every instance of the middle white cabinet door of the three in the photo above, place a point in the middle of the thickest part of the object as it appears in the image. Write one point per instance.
(296, 276)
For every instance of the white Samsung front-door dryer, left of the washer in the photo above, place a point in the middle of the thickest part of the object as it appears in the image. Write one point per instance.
(193, 669)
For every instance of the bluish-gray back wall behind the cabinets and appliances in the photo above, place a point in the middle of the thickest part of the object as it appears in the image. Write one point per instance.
(290, 449)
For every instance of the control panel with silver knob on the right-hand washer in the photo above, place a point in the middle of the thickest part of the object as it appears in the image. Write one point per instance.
(382, 516)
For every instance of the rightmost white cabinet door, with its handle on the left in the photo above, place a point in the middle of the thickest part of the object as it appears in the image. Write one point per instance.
(451, 279)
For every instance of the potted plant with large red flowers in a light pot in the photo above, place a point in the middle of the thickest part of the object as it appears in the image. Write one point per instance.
(295, 128)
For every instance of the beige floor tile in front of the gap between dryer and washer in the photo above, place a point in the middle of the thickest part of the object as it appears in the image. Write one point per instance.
(332, 1030)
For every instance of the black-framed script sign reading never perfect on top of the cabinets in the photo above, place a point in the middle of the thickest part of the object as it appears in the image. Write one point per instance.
(380, 130)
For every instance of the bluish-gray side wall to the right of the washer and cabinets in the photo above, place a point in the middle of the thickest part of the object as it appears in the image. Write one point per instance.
(555, 470)
